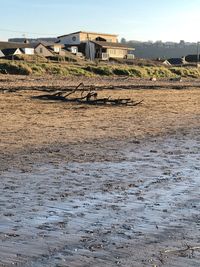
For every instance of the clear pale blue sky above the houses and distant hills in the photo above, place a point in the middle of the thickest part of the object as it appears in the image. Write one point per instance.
(166, 20)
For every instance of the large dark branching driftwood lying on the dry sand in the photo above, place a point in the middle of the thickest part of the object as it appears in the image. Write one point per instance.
(87, 96)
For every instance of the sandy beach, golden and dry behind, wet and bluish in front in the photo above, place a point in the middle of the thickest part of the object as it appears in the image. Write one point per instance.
(99, 186)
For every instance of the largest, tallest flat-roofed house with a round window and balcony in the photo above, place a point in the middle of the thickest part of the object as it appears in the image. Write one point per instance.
(93, 45)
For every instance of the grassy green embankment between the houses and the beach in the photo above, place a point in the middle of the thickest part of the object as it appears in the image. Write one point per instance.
(37, 67)
